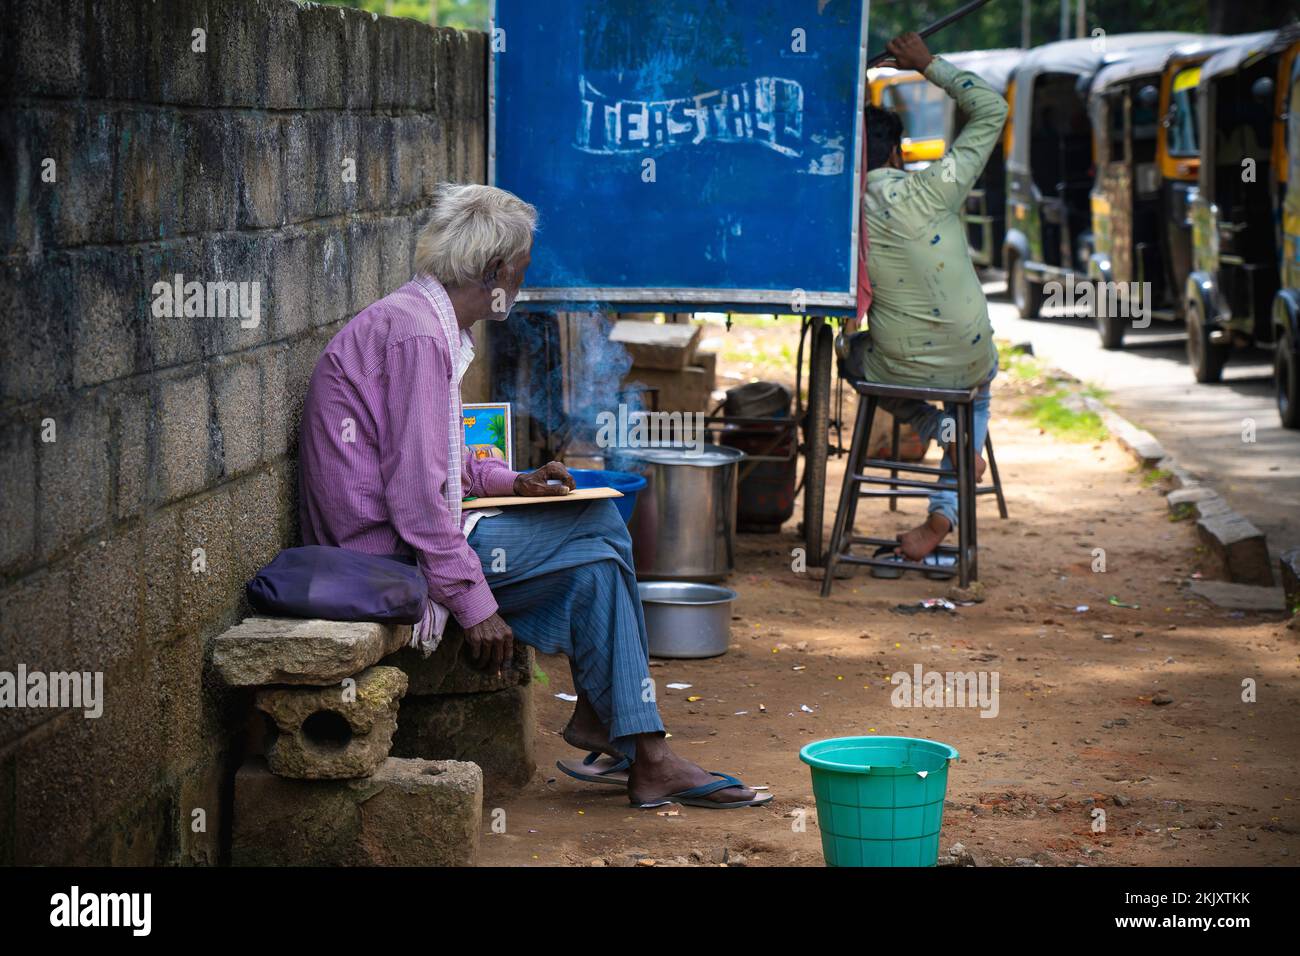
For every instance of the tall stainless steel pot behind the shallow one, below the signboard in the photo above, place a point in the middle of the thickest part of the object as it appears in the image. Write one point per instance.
(684, 524)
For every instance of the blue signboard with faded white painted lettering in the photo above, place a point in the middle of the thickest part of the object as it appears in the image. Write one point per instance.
(683, 153)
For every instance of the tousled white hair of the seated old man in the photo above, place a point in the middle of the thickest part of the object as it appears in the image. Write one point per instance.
(471, 227)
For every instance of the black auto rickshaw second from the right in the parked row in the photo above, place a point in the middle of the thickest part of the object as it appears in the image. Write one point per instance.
(1234, 295)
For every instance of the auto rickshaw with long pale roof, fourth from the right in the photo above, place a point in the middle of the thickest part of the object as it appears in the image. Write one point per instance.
(1050, 161)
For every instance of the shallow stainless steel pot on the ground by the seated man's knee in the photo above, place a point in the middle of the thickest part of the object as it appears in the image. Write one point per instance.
(687, 620)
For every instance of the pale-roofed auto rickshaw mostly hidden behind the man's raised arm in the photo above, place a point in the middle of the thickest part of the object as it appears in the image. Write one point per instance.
(986, 205)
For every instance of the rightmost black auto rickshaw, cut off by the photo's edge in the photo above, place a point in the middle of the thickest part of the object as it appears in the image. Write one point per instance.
(1286, 304)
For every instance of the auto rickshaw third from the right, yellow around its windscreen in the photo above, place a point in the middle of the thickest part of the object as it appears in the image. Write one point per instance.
(1143, 127)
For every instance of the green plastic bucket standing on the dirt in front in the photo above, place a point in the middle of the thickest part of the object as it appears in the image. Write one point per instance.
(879, 801)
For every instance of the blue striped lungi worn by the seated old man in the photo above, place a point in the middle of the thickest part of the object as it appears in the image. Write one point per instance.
(569, 587)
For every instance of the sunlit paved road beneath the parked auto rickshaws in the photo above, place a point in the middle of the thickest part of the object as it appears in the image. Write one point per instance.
(1202, 426)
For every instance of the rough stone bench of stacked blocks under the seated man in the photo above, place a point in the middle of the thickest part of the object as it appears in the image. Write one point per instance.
(349, 711)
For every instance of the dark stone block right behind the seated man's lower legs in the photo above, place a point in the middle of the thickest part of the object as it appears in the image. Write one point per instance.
(493, 730)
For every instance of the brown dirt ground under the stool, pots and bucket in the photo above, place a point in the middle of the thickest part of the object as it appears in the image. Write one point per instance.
(1203, 780)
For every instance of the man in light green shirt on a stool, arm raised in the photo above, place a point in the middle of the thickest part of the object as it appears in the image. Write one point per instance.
(929, 321)
